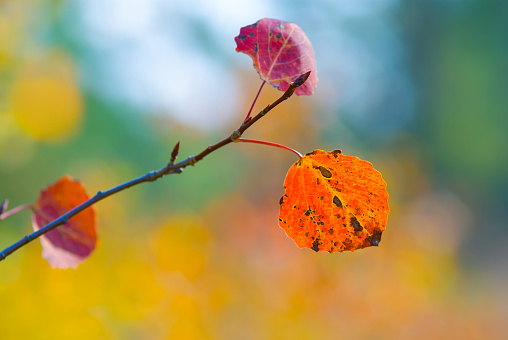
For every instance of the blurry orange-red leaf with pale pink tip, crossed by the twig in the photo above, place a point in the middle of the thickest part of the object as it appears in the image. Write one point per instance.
(70, 244)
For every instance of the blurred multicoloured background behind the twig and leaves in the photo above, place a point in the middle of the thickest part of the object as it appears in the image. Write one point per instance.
(102, 90)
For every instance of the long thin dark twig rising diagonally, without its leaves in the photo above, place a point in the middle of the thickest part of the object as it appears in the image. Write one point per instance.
(153, 175)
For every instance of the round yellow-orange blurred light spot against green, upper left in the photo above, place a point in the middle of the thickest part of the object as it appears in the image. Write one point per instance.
(46, 106)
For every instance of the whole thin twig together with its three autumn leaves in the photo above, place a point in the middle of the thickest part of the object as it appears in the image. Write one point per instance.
(332, 202)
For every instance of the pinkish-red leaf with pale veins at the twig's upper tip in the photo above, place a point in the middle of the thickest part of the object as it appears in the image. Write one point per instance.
(280, 51)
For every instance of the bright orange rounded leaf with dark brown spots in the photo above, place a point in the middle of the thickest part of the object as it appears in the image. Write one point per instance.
(334, 202)
